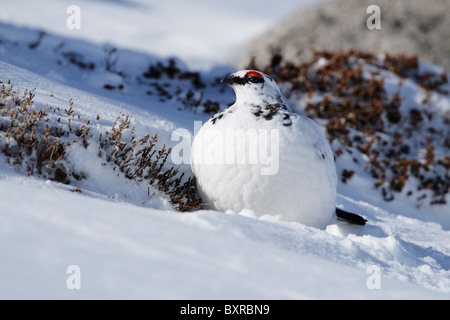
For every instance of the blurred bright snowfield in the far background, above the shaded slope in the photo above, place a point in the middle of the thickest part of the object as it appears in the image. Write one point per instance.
(200, 32)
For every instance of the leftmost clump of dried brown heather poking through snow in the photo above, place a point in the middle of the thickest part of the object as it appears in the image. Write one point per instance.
(29, 140)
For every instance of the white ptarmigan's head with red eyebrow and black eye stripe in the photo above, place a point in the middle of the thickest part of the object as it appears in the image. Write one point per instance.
(253, 86)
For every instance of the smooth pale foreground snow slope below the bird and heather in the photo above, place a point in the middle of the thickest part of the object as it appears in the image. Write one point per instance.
(126, 251)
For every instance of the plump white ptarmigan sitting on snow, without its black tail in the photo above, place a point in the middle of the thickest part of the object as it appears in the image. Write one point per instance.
(261, 156)
